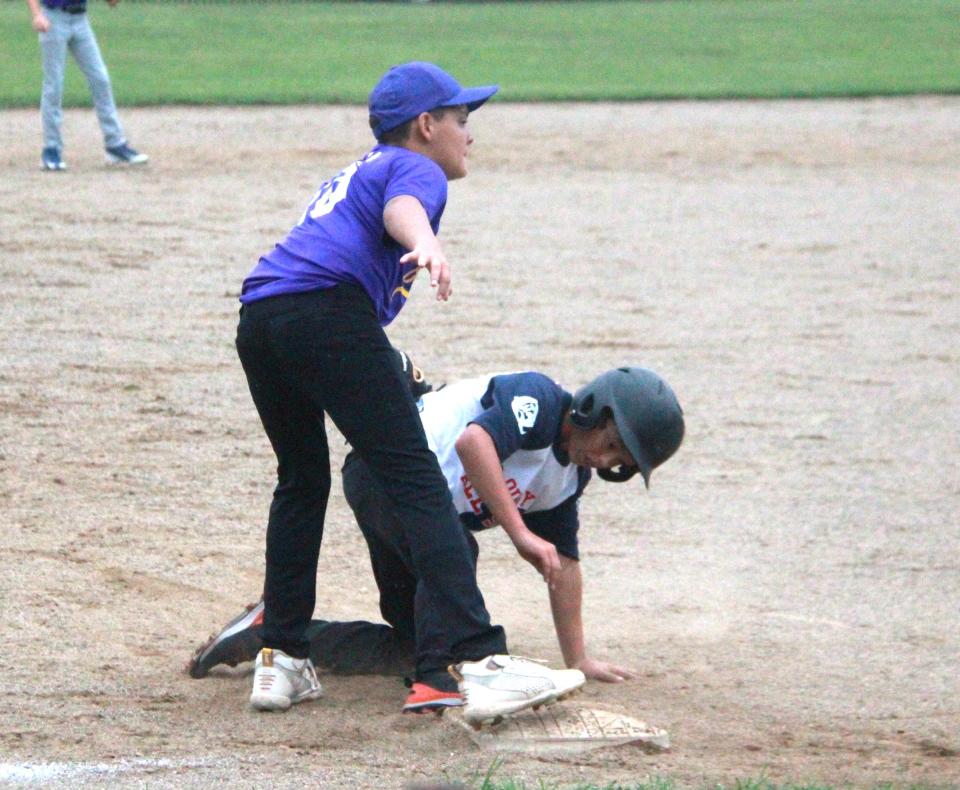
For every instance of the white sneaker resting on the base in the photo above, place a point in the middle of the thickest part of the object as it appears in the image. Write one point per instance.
(500, 685)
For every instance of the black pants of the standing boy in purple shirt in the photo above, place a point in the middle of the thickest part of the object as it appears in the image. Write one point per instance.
(320, 352)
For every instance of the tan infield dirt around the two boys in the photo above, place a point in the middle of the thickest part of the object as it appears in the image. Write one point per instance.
(788, 590)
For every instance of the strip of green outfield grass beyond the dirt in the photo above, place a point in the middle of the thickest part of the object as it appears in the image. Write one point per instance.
(237, 53)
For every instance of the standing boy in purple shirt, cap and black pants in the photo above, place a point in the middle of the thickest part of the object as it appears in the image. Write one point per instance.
(311, 342)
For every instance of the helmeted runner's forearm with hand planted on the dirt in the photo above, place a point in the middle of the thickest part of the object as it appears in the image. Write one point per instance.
(566, 596)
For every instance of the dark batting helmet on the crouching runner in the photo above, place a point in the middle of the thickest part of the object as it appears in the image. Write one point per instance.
(645, 410)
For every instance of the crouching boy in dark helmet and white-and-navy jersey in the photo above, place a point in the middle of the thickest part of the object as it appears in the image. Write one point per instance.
(513, 448)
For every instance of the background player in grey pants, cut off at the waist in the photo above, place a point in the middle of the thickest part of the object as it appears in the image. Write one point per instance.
(62, 25)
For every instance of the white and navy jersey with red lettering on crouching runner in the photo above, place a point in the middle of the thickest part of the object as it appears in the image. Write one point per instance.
(523, 413)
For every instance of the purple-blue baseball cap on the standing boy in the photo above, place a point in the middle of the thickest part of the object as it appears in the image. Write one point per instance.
(407, 90)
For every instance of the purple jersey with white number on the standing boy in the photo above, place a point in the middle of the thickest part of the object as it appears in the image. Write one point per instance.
(341, 237)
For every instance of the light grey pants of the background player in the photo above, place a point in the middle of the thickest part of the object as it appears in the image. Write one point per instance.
(73, 31)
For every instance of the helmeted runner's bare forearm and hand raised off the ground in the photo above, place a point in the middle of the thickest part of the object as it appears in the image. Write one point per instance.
(478, 454)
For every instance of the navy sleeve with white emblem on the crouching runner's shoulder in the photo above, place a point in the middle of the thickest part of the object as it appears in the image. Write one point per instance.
(522, 411)
